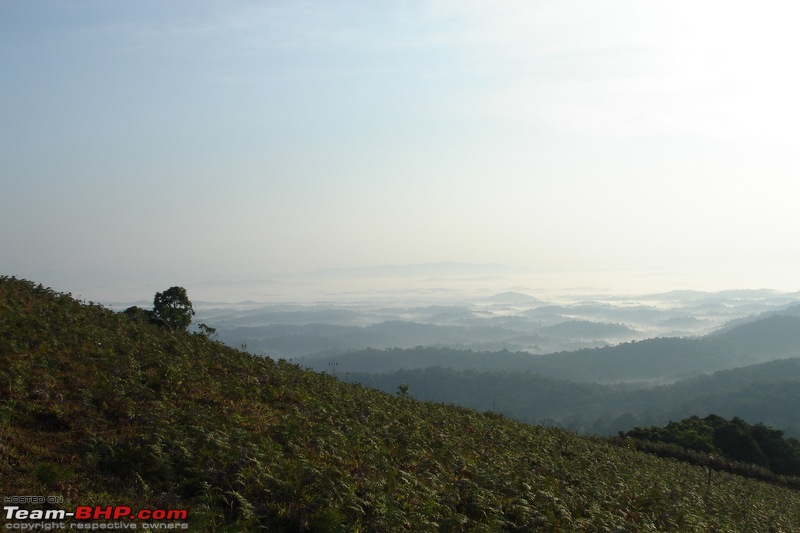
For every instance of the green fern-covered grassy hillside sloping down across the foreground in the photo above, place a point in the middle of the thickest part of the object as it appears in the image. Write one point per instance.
(106, 409)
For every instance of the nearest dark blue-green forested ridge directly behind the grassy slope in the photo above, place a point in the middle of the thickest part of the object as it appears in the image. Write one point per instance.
(768, 393)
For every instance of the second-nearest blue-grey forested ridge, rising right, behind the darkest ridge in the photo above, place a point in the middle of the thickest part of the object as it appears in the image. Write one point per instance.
(653, 359)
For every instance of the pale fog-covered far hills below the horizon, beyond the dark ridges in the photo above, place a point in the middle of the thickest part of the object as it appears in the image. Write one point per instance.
(439, 315)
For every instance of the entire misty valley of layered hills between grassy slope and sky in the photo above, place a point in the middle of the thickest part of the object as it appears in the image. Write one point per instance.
(588, 361)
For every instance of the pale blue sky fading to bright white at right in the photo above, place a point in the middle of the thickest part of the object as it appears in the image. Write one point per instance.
(195, 142)
